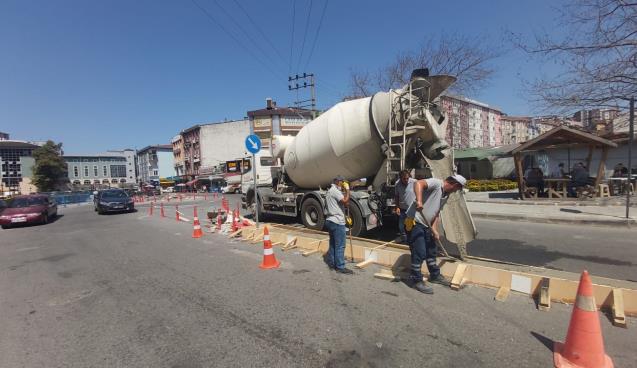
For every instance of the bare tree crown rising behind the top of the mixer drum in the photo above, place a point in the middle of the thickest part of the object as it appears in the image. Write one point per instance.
(466, 58)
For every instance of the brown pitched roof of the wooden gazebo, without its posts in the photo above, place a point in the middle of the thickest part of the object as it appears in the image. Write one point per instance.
(562, 136)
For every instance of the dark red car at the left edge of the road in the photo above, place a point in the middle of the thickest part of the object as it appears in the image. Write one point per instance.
(27, 209)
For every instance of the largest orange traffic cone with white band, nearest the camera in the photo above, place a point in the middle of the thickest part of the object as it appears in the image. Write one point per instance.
(584, 345)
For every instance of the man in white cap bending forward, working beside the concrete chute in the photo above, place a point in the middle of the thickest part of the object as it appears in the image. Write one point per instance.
(431, 196)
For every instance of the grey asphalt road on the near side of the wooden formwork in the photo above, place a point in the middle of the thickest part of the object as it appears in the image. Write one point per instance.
(131, 290)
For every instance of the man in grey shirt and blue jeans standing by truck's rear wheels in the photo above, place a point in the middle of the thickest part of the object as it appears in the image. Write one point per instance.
(335, 202)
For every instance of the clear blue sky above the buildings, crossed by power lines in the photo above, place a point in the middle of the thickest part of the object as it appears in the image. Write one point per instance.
(100, 75)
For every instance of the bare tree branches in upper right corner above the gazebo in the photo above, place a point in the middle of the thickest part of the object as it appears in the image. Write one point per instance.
(598, 53)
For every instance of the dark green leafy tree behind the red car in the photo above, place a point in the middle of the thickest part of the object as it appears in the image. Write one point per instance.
(50, 169)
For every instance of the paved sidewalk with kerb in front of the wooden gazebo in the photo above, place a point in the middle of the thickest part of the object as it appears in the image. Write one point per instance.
(483, 205)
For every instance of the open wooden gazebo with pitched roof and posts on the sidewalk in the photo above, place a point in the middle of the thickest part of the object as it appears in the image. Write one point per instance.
(563, 137)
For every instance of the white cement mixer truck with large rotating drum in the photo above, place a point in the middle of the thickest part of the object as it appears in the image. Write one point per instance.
(368, 141)
